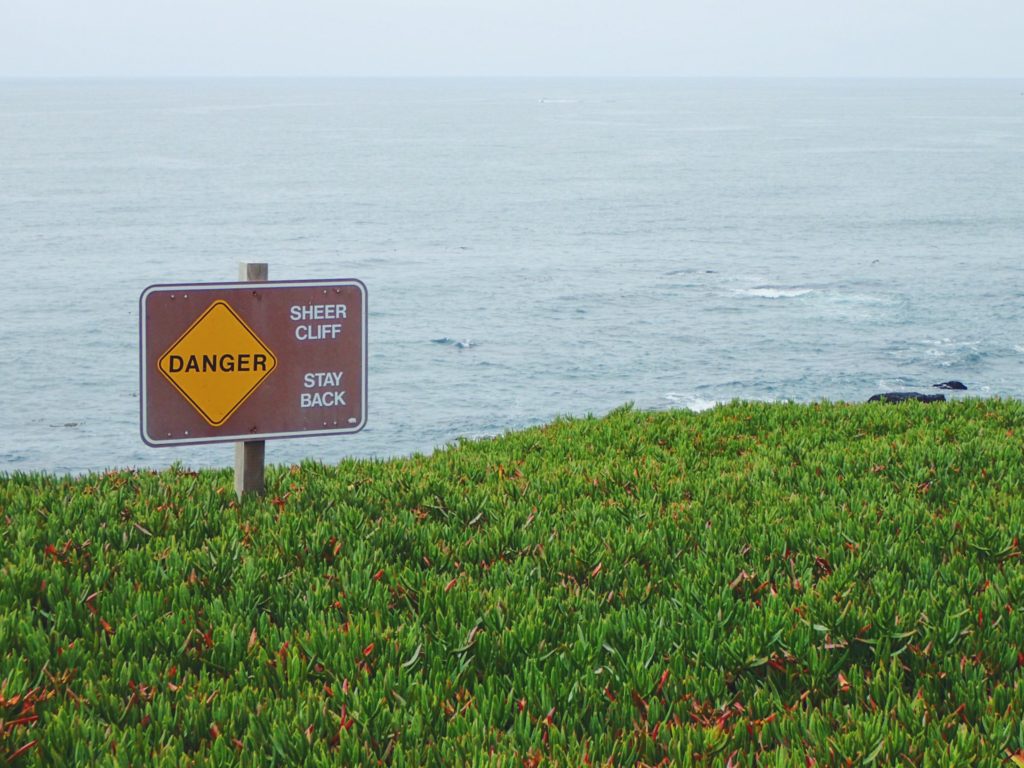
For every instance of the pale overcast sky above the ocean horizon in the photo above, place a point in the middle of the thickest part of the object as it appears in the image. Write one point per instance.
(817, 38)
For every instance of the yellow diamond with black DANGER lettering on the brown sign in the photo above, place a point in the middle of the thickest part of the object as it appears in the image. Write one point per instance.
(218, 363)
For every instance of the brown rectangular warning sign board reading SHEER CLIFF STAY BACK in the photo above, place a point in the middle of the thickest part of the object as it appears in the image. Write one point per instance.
(225, 362)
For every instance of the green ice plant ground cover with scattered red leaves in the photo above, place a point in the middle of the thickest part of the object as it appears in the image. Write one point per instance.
(771, 585)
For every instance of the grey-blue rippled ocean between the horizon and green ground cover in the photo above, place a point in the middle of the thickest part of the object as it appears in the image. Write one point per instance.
(532, 248)
